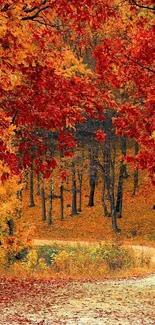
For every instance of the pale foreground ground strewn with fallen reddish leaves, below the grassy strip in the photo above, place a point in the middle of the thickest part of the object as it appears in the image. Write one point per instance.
(72, 302)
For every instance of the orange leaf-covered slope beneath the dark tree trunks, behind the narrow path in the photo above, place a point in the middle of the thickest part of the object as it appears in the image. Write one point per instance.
(137, 223)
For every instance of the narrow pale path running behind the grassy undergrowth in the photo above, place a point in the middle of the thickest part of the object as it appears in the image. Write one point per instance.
(137, 249)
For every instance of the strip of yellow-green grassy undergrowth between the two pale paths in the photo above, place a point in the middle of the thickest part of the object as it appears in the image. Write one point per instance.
(98, 261)
